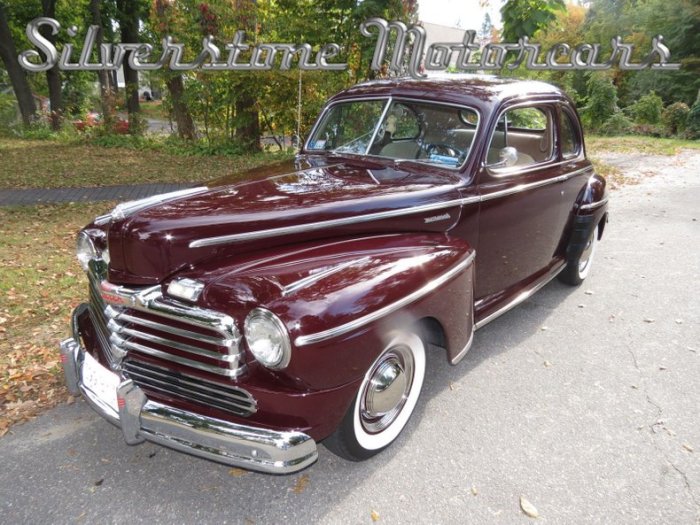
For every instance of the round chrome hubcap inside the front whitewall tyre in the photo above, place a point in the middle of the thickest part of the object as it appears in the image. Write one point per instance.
(386, 391)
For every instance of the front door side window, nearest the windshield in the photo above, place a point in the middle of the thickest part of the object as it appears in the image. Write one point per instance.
(523, 137)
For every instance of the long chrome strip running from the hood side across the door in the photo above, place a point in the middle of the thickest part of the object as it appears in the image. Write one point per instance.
(345, 221)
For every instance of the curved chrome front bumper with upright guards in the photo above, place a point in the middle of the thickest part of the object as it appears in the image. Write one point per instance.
(141, 419)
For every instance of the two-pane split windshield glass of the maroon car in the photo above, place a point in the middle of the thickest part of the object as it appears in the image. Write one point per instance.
(399, 130)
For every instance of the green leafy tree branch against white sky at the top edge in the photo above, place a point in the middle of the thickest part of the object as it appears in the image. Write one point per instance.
(525, 17)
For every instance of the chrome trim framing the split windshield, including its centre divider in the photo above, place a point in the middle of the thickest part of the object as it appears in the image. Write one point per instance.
(391, 99)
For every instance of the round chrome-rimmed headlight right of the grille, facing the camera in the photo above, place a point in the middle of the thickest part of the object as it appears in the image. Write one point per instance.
(267, 338)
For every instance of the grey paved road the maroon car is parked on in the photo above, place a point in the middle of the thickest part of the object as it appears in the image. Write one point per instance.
(580, 400)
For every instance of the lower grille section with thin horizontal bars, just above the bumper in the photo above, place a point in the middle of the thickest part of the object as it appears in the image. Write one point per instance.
(195, 389)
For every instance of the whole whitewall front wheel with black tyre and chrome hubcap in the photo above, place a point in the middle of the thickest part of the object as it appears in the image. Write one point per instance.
(385, 400)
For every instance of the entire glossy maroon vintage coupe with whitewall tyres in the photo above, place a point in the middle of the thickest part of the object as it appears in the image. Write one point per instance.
(250, 319)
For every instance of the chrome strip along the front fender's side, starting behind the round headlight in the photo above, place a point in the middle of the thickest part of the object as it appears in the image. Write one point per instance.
(304, 340)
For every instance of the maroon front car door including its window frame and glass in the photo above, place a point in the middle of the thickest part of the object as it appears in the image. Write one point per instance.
(525, 206)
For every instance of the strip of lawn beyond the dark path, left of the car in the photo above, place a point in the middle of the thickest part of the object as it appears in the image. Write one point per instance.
(31, 163)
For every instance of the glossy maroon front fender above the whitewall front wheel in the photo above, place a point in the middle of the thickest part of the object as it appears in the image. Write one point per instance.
(339, 298)
